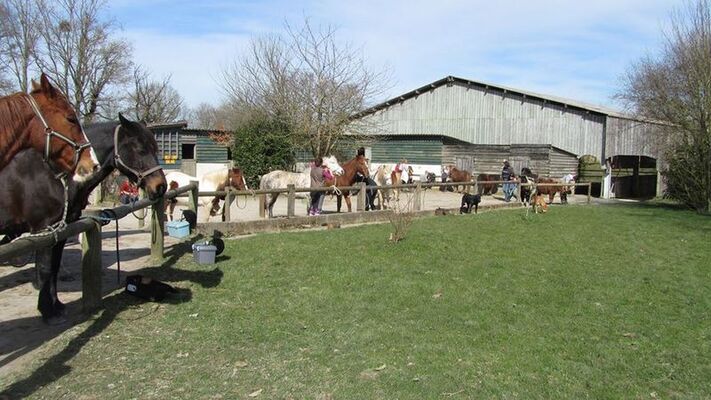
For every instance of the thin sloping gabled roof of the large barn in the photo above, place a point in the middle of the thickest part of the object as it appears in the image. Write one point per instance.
(504, 89)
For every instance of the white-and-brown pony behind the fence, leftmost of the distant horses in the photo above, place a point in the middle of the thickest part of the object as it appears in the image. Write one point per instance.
(209, 182)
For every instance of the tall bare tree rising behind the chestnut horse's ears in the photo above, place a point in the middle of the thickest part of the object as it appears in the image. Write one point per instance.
(77, 49)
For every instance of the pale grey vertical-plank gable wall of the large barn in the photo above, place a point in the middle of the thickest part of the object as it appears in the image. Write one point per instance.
(492, 117)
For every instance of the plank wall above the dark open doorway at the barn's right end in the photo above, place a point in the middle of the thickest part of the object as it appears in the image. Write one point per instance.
(630, 137)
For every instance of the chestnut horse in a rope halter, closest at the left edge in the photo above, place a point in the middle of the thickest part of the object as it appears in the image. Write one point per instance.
(44, 120)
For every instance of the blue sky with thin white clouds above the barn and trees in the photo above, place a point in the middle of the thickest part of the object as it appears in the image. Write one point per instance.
(572, 49)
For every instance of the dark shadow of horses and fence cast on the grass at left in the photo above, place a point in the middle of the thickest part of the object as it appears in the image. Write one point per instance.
(36, 332)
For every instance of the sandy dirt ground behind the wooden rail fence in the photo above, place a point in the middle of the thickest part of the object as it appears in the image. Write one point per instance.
(22, 331)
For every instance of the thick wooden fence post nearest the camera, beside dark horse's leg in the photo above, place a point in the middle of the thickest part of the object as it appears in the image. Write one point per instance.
(91, 269)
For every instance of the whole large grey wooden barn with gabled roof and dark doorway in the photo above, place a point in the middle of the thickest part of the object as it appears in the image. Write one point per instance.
(477, 125)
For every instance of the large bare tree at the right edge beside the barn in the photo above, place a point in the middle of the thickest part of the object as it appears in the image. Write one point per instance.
(675, 87)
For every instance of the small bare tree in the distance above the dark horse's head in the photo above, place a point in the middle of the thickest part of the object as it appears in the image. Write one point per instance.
(153, 101)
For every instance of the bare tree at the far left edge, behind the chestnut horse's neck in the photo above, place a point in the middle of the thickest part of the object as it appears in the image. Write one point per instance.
(19, 34)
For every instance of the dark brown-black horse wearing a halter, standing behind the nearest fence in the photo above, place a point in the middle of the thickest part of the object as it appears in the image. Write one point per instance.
(33, 198)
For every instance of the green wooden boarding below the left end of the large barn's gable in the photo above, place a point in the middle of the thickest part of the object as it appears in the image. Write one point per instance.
(426, 151)
